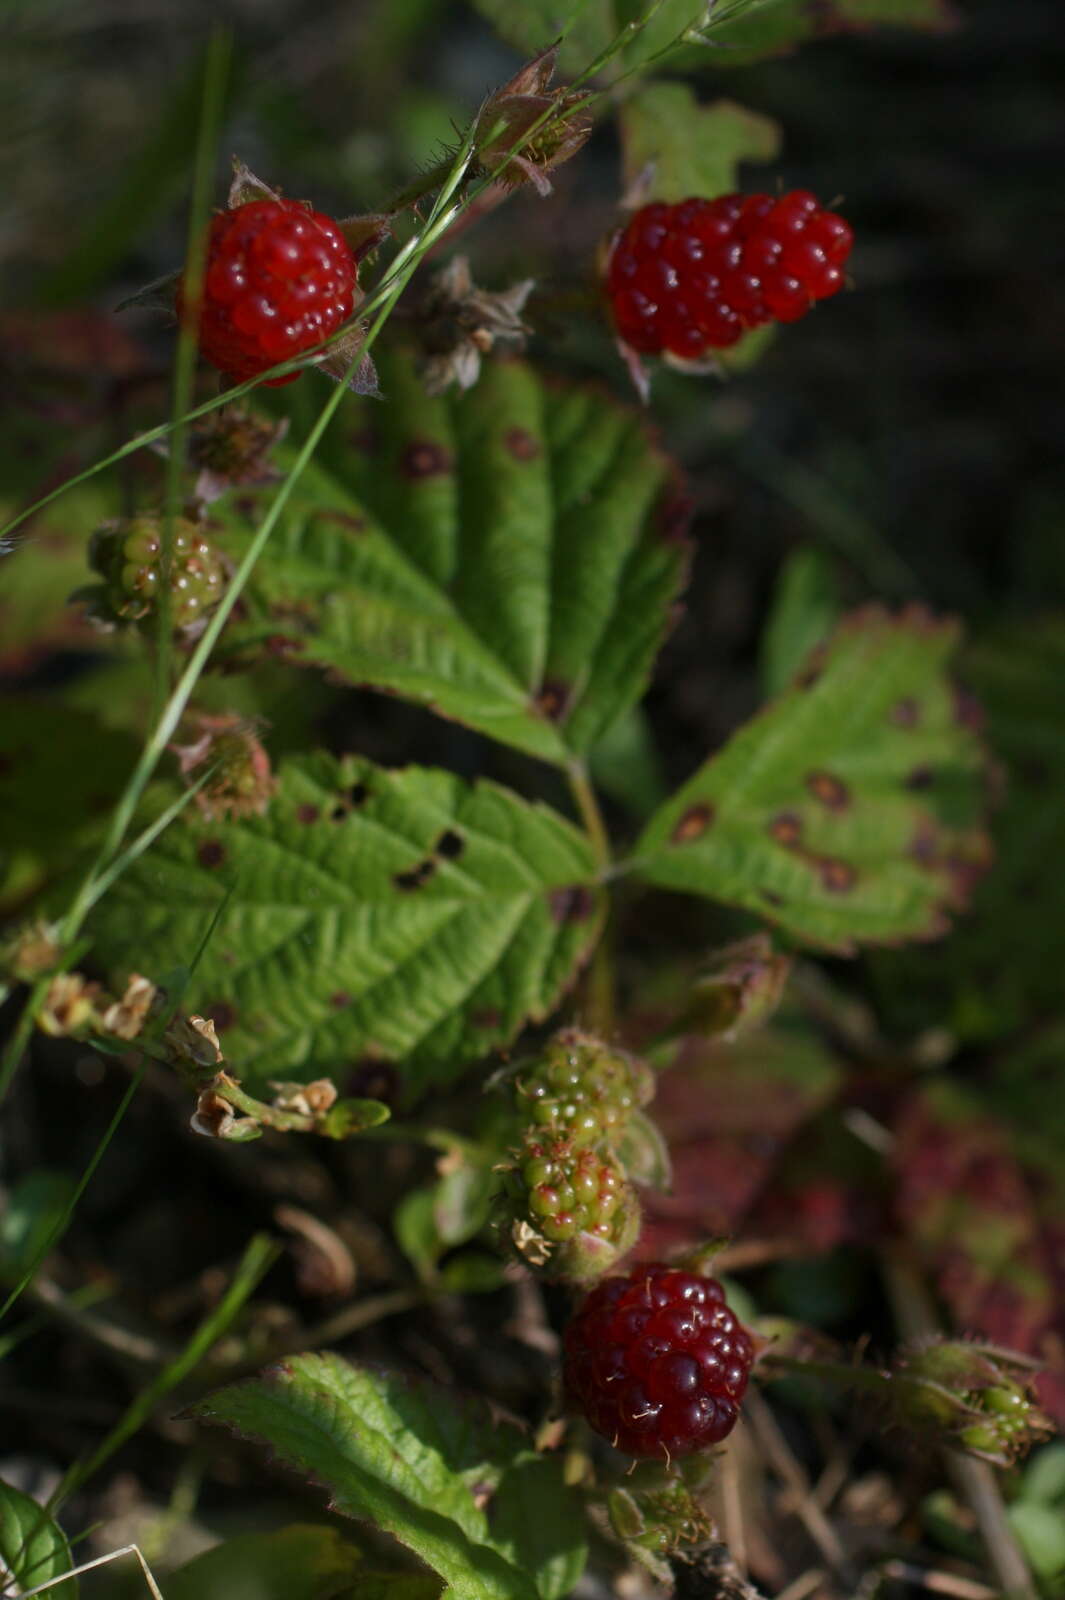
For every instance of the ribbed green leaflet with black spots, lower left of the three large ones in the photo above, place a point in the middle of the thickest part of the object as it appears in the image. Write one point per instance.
(404, 916)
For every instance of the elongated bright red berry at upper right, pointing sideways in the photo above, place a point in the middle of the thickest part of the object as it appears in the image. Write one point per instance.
(696, 276)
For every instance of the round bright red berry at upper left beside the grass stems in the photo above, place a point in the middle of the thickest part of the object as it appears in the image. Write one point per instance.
(277, 281)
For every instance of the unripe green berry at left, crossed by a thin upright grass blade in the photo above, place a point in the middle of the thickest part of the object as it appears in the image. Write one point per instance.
(129, 556)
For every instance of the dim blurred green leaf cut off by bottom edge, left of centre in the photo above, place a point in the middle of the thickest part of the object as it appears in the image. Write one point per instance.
(305, 1562)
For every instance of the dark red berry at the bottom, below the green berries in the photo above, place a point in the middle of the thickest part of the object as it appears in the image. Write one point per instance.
(656, 1362)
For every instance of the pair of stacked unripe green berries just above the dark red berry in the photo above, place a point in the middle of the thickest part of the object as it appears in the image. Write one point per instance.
(572, 1206)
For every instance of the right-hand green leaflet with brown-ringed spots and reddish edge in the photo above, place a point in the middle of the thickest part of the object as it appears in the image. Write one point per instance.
(850, 809)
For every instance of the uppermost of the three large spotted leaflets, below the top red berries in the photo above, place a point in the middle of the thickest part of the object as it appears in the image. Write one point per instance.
(509, 556)
